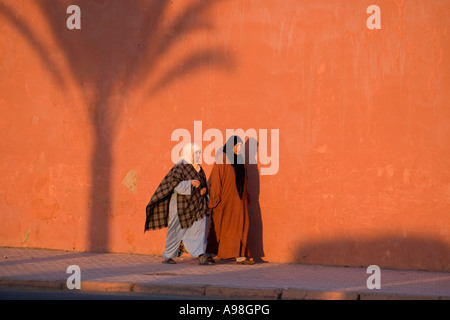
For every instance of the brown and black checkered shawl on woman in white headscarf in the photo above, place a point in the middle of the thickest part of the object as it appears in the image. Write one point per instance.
(190, 208)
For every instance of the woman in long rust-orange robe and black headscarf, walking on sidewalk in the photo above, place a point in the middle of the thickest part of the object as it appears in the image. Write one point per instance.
(227, 237)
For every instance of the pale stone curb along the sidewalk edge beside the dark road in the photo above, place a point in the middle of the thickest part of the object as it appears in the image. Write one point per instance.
(209, 291)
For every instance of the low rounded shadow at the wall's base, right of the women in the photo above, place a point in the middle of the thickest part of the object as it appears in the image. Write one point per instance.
(392, 252)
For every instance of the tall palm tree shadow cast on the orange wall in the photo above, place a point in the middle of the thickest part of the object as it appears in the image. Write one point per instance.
(118, 47)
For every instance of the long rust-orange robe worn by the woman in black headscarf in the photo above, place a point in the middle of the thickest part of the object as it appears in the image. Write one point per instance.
(227, 237)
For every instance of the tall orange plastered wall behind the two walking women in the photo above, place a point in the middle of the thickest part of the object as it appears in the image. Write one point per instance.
(363, 118)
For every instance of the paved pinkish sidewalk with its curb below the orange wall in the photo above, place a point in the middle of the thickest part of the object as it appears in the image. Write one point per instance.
(47, 269)
